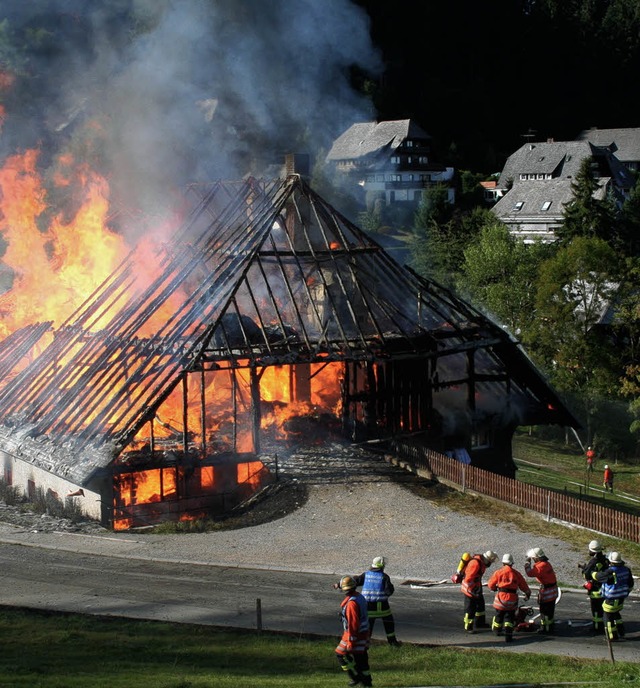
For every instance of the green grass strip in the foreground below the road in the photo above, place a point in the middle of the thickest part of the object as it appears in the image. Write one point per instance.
(48, 650)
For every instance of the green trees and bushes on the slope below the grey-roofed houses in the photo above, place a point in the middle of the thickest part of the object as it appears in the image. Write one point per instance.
(574, 304)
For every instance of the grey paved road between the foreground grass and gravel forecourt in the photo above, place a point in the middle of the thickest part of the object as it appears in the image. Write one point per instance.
(65, 573)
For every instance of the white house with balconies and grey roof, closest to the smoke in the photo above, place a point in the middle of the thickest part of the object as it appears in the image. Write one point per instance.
(393, 158)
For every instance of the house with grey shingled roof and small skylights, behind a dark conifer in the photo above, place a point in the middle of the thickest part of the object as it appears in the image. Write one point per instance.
(536, 181)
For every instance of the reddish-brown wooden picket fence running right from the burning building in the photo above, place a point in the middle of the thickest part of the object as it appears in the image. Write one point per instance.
(552, 504)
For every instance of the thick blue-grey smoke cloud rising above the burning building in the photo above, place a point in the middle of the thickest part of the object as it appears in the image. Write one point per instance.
(160, 93)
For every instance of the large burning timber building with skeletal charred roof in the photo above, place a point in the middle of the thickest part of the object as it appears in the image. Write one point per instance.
(267, 315)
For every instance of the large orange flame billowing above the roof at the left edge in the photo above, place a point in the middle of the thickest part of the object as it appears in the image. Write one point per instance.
(52, 269)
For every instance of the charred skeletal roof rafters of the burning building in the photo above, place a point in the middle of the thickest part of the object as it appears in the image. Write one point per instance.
(261, 273)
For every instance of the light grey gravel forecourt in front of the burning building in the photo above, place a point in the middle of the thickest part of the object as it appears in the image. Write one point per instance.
(358, 507)
